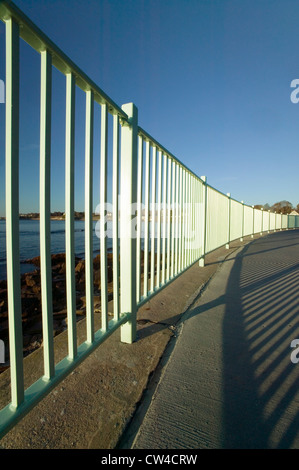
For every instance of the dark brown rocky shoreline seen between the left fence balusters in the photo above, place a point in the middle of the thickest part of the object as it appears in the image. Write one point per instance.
(31, 300)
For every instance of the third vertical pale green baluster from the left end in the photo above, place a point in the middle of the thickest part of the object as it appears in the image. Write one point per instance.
(69, 214)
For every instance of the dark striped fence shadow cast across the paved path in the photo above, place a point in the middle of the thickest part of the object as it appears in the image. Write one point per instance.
(260, 383)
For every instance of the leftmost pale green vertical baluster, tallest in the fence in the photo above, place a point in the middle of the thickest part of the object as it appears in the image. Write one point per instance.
(12, 212)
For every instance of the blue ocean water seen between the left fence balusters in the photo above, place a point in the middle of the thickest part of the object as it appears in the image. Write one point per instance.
(29, 241)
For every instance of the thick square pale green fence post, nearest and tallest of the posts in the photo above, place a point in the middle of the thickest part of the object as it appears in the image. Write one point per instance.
(128, 201)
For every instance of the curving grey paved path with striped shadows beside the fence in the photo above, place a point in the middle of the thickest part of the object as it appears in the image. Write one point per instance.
(229, 382)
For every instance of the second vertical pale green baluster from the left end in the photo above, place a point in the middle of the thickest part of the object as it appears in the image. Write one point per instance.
(45, 213)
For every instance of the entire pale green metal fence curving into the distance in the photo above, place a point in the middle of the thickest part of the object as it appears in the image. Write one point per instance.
(165, 218)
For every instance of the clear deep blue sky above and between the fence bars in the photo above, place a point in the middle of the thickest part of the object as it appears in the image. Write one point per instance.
(211, 80)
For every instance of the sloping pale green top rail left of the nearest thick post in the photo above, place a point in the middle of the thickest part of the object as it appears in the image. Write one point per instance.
(31, 34)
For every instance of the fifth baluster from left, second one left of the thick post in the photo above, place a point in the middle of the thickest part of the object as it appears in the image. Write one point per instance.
(103, 223)
